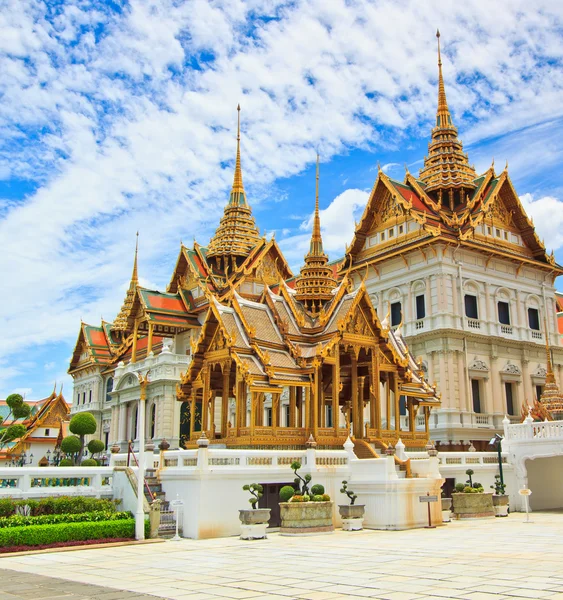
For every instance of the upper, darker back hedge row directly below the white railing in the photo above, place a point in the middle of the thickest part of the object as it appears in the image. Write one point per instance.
(57, 505)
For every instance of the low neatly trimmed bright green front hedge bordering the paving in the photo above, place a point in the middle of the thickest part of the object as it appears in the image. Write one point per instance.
(40, 535)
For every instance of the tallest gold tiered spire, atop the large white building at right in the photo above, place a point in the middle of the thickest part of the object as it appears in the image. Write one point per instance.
(446, 169)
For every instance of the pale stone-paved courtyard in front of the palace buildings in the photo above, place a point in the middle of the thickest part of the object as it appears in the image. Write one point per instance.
(476, 560)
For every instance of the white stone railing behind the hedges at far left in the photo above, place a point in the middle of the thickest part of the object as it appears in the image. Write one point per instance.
(37, 482)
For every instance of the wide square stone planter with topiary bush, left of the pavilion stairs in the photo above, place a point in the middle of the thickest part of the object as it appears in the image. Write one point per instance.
(304, 511)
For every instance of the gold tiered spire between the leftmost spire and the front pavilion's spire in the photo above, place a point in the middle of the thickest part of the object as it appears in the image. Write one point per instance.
(237, 233)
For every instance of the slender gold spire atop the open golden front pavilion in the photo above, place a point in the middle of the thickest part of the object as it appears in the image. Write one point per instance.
(316, 282)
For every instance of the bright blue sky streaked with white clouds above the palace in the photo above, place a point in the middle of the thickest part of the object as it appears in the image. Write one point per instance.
(120, 116)
